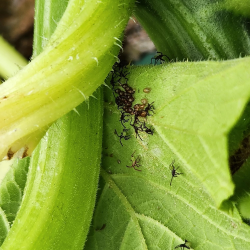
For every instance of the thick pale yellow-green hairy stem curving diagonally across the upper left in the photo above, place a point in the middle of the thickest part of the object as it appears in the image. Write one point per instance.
(76, 61)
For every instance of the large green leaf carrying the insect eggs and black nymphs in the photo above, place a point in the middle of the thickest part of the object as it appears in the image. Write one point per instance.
(196, 106)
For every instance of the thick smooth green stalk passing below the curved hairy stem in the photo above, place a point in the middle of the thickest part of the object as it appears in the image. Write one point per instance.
(60, 192)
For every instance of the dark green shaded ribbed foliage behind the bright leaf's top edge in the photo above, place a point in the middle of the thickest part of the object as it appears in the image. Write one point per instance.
(193, 29)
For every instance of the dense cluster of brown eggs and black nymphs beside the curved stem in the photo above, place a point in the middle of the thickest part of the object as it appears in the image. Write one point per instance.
(124, 98)
